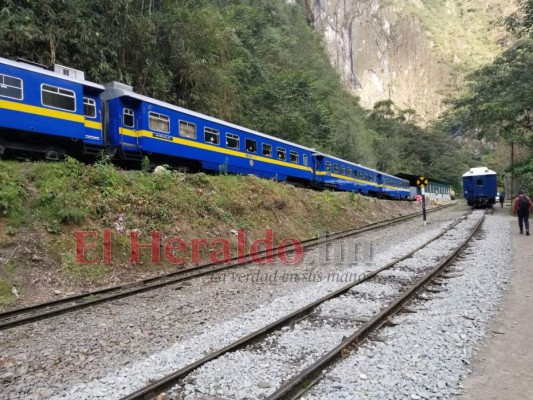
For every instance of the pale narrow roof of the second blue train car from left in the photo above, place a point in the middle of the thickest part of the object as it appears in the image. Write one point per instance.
(115, 89)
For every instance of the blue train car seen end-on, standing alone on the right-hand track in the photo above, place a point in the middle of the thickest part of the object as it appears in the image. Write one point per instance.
(480, 187)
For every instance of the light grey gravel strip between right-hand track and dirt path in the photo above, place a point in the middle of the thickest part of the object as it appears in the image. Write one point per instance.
(427, 354)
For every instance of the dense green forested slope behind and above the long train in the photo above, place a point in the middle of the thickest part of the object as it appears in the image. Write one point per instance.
(255, 63)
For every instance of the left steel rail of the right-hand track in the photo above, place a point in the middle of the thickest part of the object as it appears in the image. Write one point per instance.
(153, 389)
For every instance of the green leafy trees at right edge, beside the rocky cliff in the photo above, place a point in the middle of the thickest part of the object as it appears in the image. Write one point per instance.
(498, 99)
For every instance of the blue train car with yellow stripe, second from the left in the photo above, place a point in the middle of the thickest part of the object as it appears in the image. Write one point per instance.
(140, 125)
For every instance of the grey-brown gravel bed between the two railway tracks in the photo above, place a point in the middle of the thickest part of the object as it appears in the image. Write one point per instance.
(113, 349)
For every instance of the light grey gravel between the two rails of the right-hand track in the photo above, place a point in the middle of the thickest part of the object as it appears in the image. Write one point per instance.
(241, 374)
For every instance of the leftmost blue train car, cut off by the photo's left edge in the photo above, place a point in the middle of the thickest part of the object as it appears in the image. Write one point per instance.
(48, 111)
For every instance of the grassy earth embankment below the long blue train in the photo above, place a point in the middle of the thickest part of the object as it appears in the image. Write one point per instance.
(42, 205)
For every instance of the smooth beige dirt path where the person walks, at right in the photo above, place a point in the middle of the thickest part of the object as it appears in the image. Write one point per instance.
(503, 370)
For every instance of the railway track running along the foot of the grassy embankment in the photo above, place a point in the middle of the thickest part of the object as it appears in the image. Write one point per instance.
(27, 315)
